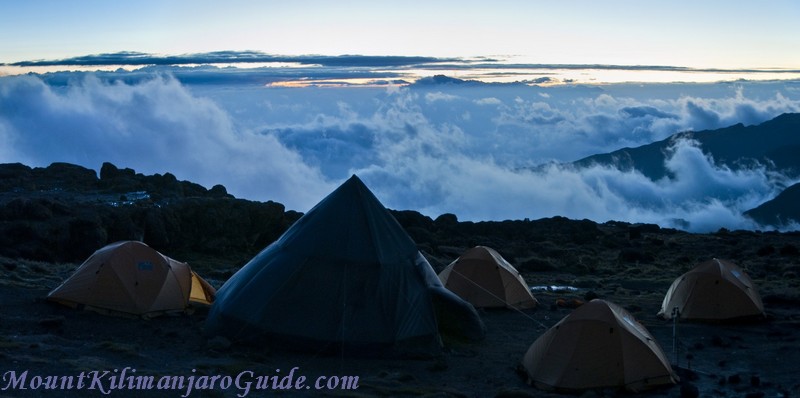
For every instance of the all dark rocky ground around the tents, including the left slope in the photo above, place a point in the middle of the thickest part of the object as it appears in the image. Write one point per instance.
(631, 265)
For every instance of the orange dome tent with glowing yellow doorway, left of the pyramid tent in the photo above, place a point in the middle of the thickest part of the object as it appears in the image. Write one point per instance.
(131, 278)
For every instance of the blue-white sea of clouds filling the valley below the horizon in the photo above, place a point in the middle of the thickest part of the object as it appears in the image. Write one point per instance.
(480, 151)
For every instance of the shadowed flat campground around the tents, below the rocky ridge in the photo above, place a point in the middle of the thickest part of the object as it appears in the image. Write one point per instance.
(727, 360)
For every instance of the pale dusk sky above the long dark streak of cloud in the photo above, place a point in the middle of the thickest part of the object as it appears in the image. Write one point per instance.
(718, 34)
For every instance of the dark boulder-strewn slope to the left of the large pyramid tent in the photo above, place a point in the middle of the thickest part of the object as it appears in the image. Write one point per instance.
(64, 212)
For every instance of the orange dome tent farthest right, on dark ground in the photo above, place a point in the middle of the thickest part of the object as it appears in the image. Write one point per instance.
(715, 290)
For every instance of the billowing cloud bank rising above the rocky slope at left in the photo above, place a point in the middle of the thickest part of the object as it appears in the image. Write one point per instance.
(155, 126)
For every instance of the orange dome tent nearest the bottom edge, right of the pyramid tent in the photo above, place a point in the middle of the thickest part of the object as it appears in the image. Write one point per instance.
(598, 345)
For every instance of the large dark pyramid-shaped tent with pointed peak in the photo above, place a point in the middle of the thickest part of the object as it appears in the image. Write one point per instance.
(344, 278)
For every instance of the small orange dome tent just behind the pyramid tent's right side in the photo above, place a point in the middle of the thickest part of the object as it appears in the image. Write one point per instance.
(482, 277)
